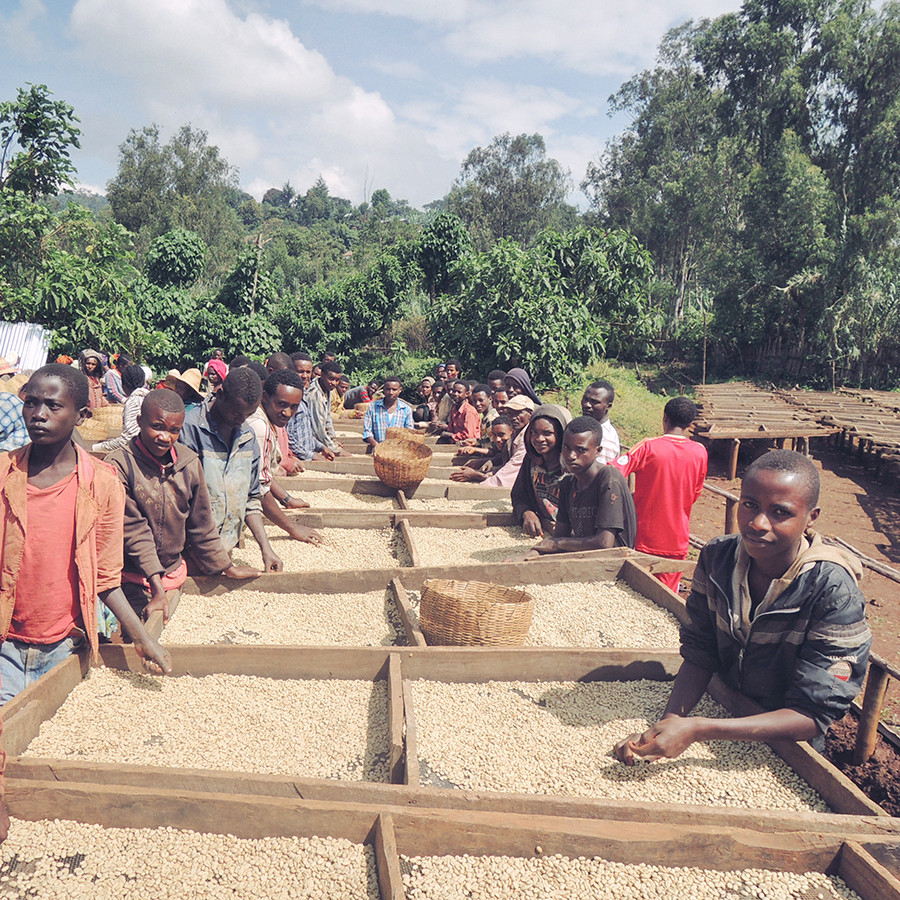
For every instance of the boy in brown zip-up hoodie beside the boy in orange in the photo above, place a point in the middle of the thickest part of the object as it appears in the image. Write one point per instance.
(166, 507)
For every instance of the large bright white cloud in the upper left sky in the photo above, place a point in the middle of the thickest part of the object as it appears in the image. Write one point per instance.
(275, 107)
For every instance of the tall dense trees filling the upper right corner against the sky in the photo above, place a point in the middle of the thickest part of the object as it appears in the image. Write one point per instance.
(763, 169)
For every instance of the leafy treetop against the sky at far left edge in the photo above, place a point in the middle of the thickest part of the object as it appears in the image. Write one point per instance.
(46, 132)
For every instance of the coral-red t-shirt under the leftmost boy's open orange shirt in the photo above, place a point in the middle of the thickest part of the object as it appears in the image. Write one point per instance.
(47, 604)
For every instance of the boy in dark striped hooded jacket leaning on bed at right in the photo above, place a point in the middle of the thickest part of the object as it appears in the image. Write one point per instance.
(776, 613)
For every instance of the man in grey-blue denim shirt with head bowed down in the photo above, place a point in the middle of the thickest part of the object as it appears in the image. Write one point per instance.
(230, 457)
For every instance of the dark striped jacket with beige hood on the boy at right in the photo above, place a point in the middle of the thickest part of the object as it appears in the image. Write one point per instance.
(805, 647)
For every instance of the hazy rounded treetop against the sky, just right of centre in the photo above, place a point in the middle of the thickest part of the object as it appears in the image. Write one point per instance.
(509, 189)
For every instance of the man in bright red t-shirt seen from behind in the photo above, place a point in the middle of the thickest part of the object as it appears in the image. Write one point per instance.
(669, 474)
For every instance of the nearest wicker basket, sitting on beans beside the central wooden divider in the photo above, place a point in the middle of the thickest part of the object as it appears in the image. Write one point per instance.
(464, 613)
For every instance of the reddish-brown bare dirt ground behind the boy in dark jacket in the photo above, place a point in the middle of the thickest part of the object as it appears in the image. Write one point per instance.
(856, 507)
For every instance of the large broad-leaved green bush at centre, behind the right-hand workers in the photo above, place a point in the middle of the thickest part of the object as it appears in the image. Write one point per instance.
(552, 309)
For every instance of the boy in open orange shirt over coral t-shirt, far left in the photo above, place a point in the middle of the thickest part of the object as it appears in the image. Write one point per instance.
(60, 539)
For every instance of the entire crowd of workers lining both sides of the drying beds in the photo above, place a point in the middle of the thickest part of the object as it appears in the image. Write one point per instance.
(772, 609)
